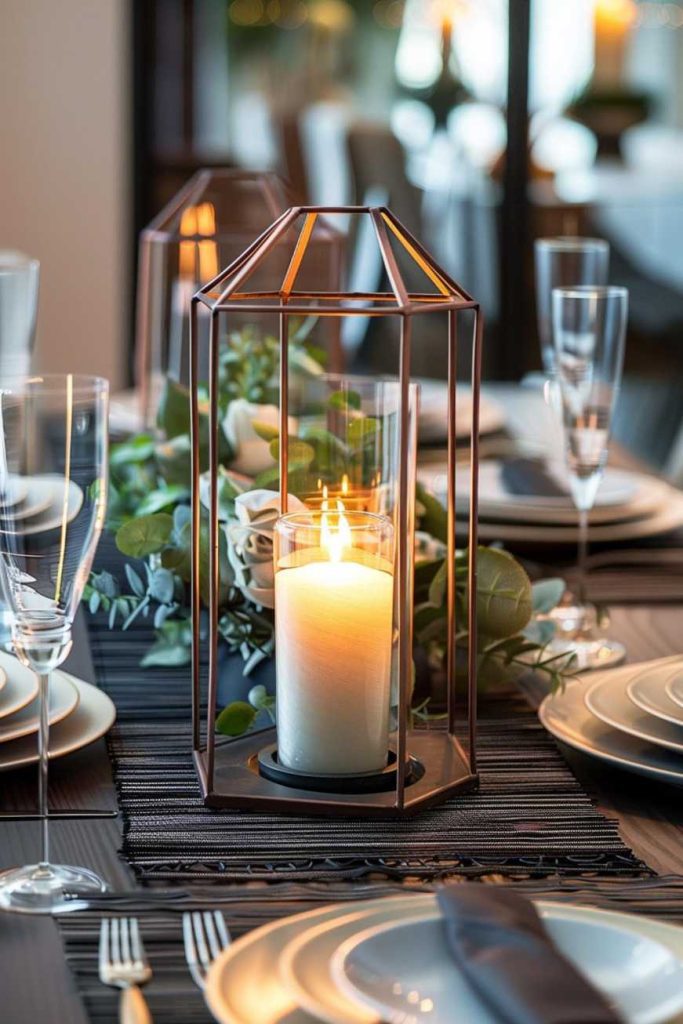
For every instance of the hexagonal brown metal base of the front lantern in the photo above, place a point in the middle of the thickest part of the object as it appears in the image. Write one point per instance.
(440, 770)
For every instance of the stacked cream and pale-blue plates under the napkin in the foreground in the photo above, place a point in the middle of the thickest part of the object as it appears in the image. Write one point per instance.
(388, 960)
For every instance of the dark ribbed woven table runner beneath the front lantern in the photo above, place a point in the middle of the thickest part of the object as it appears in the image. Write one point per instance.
(530, 818)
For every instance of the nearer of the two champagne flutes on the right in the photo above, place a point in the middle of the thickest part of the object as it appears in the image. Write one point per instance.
(589, 333)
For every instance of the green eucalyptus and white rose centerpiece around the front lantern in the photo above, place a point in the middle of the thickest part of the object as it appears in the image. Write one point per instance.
(150, 514)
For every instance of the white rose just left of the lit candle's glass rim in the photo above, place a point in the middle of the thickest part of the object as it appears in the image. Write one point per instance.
(250, 543)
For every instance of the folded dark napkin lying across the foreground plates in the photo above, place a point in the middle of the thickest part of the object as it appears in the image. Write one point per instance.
(500, 946)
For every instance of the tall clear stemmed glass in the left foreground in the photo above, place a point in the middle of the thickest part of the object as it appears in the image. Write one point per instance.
(54, 452)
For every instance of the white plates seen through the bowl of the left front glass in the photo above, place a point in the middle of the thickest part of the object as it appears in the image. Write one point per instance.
(36, 504)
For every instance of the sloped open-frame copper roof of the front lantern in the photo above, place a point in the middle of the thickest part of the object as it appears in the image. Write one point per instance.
(277, 273)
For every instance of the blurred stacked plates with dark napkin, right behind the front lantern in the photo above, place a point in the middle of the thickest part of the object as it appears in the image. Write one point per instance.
(629, 505)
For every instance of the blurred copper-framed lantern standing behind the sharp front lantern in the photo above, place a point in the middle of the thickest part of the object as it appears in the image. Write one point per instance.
(206, 226)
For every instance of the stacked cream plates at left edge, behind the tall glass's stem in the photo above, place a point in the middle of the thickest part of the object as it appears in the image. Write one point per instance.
(79, 714)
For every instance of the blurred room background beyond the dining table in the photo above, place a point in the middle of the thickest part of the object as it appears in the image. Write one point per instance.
(484, 124)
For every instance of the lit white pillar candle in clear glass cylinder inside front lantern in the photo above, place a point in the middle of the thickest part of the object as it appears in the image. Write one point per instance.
(334, 632)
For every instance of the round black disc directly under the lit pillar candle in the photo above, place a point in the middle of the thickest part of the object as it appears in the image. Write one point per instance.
(374, 782)
